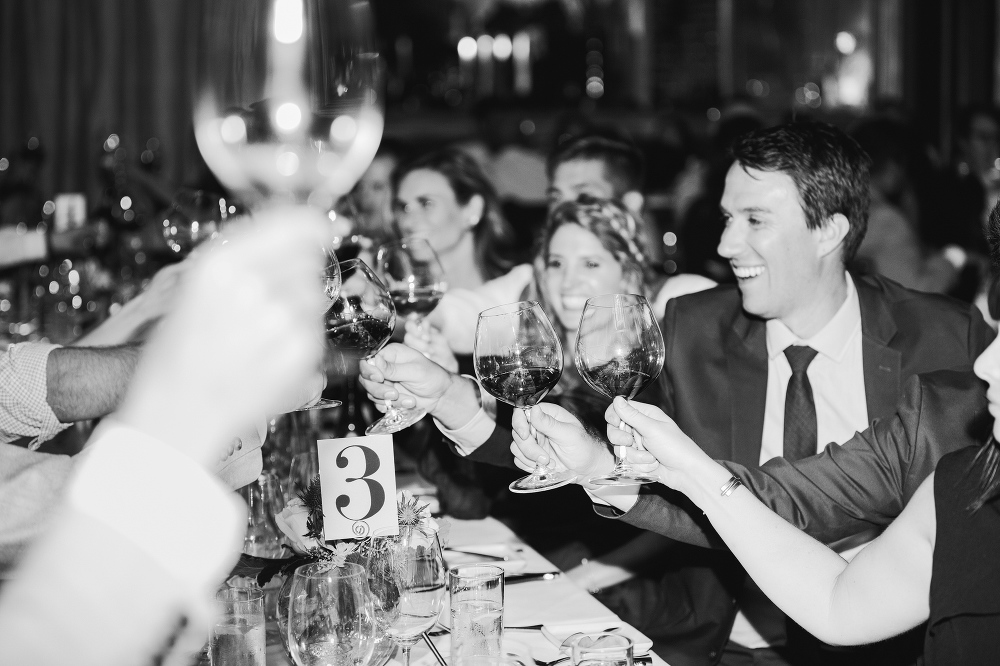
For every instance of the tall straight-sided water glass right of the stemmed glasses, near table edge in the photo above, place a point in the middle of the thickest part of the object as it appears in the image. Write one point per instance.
(476, 611)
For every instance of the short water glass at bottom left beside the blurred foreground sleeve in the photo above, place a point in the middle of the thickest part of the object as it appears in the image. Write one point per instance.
(238, 635)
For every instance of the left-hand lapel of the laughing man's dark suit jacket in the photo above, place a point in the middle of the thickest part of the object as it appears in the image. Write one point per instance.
(746, 360)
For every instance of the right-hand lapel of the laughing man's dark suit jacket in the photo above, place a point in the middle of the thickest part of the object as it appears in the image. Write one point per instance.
(882, 364)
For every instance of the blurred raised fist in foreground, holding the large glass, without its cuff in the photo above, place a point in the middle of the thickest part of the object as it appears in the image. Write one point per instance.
(242, 337)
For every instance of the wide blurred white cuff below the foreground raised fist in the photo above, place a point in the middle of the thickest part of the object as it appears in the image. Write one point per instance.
(132, 483)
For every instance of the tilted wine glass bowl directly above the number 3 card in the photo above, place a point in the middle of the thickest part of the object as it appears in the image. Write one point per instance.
(361, 319)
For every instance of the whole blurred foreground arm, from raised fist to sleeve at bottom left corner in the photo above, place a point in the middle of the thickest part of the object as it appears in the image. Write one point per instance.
(140, 505)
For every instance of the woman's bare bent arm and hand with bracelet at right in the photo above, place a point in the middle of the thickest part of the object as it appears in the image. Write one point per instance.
(881, 593)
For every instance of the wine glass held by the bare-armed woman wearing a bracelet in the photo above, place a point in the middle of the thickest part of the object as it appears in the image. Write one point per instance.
(619, 352)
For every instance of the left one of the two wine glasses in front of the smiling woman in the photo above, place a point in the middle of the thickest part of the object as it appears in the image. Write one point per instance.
(518, 359)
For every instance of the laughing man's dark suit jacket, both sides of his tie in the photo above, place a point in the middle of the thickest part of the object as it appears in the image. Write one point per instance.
(714, 385)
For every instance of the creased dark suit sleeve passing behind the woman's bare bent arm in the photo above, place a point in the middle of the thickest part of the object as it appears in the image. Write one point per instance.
(848, 490)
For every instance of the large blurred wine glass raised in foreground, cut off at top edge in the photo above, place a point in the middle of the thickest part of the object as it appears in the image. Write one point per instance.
(289, 103)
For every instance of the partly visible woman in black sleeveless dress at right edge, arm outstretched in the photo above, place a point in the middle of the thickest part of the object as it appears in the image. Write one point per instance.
(936, 562)
